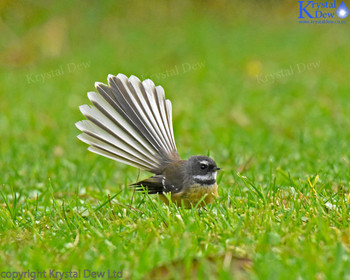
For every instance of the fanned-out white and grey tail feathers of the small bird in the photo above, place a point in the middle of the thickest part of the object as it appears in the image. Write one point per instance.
(130, 122)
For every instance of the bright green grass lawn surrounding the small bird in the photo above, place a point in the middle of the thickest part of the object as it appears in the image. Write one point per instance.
(283, 144)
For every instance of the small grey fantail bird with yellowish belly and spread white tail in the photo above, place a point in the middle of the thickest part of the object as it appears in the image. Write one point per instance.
(131, 122)
